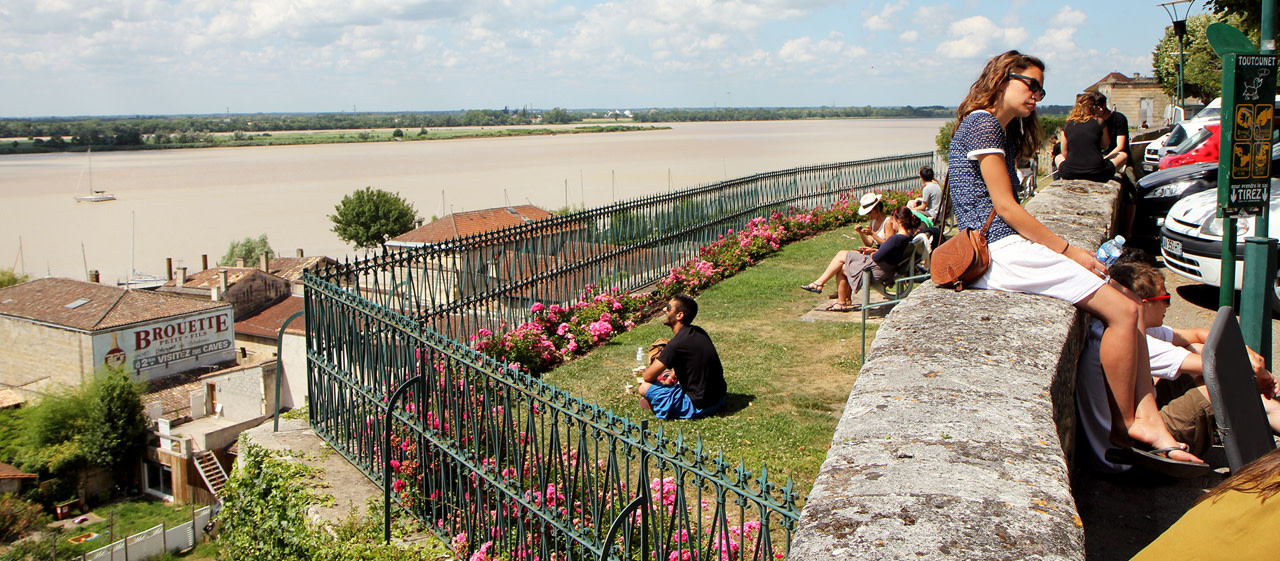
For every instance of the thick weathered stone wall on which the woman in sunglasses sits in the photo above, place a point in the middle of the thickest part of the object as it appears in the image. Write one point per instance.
(957, 439)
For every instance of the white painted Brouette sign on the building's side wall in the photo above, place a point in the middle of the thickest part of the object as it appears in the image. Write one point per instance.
(168, 346)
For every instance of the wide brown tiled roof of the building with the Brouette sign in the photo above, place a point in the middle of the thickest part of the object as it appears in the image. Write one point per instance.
(90, 307)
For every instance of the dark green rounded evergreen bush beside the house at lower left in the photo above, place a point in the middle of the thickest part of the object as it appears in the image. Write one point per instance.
(117, 423)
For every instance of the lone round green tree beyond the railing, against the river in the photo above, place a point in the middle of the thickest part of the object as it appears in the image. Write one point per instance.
(369, 218)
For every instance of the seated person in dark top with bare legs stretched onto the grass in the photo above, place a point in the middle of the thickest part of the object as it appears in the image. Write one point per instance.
(902, 227)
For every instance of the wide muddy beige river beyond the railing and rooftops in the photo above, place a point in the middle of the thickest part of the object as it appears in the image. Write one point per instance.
(185, 203)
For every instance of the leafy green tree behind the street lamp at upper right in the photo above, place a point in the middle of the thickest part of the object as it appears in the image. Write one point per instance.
(1203, 75)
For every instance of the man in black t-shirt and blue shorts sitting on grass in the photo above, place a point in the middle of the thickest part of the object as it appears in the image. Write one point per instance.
(700, 389)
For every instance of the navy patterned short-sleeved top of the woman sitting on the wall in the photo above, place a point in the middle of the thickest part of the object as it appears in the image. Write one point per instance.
(979, 134)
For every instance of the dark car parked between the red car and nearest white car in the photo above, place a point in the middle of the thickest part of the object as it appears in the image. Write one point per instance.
(1158, 193)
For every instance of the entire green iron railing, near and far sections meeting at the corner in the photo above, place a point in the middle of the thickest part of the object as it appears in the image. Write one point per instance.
(496, 460)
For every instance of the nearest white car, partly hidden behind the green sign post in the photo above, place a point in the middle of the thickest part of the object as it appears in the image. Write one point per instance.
(1191, 240)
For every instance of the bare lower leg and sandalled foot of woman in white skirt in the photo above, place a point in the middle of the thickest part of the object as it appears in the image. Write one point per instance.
(1127, 366)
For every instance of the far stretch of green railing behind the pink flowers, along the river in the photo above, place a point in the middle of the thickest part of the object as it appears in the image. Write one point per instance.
(490, 280)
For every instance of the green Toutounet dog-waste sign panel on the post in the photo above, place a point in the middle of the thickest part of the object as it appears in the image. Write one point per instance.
(1249, 110)
